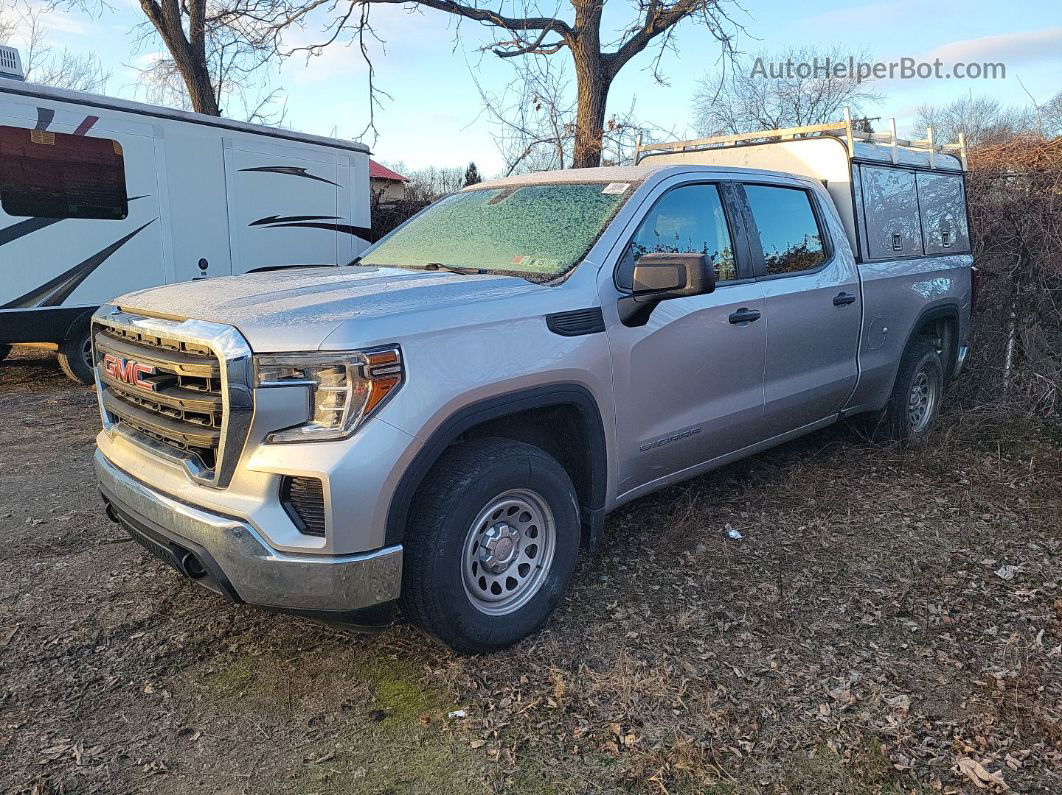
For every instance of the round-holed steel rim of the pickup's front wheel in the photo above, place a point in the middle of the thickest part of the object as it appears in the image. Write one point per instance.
(508, 552)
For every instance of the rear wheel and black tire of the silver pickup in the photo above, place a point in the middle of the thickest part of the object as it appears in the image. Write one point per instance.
(920, 369)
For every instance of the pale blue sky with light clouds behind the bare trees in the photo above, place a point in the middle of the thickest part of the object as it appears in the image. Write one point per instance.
(435, 115)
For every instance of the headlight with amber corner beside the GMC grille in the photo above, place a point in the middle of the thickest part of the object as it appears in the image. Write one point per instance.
(347, 388)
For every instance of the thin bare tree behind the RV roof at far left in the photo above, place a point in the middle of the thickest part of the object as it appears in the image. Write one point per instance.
(44, 64)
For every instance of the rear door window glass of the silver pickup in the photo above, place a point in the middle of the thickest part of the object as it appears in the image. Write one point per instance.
(790, 233)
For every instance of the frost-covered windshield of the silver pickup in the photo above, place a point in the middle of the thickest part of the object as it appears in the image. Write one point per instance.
(538, 232)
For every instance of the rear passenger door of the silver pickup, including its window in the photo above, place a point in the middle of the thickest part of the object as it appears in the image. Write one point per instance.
(812, 289)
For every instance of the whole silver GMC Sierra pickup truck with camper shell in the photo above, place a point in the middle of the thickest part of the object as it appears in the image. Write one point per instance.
(444, 424)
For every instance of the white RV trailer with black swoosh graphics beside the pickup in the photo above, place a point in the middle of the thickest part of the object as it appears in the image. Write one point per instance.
(100, 197)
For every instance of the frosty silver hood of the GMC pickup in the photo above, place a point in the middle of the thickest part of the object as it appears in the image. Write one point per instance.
(298, 309)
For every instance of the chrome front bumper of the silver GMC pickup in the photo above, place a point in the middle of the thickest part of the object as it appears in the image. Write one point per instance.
(227, 556)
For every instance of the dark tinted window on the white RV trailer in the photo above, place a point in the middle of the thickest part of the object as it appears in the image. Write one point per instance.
(47, 175)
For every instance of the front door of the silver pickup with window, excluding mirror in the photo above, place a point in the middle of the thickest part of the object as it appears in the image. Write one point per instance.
(690, 383)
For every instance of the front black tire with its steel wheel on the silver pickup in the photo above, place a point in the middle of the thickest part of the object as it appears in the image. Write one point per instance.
(447, 529)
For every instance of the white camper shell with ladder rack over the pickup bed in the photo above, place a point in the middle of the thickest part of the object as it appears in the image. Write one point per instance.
(897, 198)
